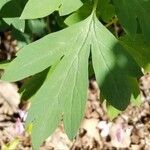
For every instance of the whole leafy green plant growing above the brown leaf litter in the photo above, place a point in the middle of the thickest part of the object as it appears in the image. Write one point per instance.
(59, 61)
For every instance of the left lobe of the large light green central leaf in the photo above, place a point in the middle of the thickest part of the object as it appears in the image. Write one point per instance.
(39, 55)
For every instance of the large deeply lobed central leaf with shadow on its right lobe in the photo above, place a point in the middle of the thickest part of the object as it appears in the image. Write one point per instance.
(64, 90)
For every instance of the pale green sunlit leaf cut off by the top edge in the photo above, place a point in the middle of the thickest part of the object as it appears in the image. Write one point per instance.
(33, 8)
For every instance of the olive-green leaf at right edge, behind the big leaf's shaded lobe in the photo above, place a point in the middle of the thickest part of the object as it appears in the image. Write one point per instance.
(139, 49)
